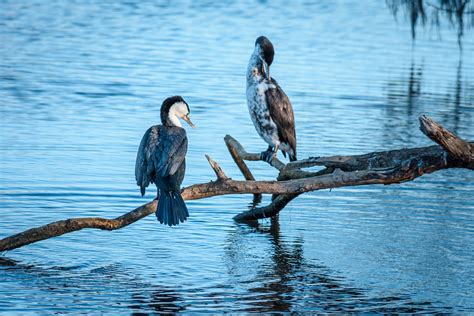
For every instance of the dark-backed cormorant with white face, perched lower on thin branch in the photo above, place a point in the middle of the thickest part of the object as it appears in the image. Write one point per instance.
(161, 160)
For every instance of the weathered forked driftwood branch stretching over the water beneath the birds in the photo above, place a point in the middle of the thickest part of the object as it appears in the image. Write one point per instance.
(385, 167)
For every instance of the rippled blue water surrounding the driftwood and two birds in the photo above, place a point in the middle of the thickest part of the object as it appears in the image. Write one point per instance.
(81, 82)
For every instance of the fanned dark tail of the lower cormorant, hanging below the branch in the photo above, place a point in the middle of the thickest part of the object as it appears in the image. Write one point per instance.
(171, 209)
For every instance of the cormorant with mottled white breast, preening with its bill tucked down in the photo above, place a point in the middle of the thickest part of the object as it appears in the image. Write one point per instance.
(269, 107)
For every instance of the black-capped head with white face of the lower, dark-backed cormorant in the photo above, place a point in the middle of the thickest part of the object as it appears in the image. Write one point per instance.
(173, 109)
